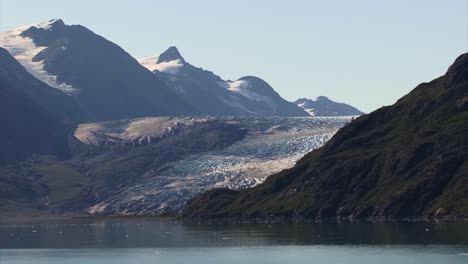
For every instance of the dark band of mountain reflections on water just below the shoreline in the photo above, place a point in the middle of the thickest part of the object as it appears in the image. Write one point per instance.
(135, 233)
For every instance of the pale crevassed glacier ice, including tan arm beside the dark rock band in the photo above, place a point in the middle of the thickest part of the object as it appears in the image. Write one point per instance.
(271, 145)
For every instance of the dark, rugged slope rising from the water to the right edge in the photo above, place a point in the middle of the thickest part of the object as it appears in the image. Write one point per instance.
(407, 160)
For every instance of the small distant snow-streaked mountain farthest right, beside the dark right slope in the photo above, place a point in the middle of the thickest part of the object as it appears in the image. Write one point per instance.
(322, 106)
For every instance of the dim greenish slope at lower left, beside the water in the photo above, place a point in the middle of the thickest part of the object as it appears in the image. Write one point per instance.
(32, 186)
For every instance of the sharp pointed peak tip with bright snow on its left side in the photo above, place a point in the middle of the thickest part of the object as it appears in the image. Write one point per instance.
(169, 61)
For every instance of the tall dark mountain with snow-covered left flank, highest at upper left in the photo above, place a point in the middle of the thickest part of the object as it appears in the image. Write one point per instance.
(103, 79)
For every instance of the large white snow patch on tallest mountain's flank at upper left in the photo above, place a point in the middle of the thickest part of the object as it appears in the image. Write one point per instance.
(23, 50)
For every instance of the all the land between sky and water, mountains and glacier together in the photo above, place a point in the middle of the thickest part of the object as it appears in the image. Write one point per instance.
(90, 129)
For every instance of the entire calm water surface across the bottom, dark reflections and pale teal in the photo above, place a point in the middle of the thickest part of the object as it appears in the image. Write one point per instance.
(149, 241)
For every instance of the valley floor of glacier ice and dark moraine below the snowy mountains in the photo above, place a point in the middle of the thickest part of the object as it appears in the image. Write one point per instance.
(152, 166)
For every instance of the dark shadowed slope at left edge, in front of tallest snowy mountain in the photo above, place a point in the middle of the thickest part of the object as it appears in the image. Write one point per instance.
(35, 118)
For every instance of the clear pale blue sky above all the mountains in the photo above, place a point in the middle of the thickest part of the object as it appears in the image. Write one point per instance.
(364, 52)
